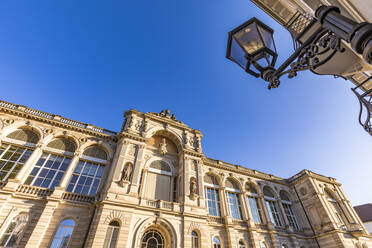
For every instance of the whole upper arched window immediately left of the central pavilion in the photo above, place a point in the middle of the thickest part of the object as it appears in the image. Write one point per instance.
(88, 173)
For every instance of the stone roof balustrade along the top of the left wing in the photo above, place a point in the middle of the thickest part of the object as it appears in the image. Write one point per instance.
(58, 118)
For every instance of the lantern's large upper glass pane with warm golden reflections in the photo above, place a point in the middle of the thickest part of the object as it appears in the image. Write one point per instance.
(249, 38)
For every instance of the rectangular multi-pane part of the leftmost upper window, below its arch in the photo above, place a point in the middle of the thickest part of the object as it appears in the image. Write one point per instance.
(12, 159)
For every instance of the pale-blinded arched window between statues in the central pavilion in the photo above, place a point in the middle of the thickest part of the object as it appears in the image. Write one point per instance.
(158, 181)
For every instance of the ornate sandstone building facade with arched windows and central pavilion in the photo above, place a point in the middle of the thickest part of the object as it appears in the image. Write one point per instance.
(69, 184)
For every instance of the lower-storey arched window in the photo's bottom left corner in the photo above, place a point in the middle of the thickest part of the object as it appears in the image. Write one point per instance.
(14, 232)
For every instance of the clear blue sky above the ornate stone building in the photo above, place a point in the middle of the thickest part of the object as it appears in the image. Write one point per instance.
(92, 60)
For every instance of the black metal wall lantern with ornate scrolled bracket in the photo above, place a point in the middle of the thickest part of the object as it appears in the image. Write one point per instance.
(252, 47)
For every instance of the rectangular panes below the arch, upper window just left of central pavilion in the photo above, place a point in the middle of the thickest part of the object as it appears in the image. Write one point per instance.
(86, 178)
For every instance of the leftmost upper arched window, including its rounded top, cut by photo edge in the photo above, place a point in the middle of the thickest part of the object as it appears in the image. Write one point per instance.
(15, 151)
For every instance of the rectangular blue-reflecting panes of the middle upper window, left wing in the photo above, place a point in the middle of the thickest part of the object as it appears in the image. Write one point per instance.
(48, 171)
